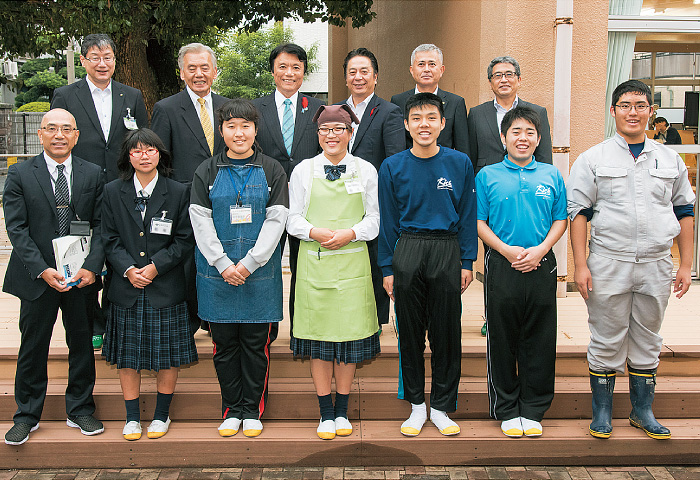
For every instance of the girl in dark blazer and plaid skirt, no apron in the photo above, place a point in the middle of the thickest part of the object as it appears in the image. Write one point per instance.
(147, 235)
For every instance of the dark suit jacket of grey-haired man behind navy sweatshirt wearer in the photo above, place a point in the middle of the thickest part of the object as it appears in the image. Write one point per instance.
(456, 132)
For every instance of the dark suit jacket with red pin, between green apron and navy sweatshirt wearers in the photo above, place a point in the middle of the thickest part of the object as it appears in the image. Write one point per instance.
(380, 133)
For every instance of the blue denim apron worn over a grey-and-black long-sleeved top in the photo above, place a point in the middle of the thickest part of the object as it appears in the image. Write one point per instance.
(259, 299)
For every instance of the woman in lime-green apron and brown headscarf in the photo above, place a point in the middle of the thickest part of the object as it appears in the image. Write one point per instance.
(334, 211)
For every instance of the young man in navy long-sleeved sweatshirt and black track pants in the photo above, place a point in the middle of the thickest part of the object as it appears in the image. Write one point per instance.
(427, 244)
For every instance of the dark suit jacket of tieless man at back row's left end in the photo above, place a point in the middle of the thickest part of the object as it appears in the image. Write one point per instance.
(92, 146)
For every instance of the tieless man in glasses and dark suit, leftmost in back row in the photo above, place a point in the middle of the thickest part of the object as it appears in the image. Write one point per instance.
(104, 110)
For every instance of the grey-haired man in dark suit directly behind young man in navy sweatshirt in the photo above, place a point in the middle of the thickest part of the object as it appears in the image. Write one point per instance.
(427, 69)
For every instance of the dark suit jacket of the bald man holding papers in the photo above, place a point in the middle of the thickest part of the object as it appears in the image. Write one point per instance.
(31, 221)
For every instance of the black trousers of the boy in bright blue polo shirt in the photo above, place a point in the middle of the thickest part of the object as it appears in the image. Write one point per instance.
(521, 337)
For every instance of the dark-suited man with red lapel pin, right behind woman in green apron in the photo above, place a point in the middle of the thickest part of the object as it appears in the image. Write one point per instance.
(379, 135)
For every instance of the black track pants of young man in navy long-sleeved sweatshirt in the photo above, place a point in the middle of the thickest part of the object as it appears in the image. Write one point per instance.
(427, 283)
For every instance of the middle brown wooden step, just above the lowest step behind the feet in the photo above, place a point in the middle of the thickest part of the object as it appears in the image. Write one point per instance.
(372, 398)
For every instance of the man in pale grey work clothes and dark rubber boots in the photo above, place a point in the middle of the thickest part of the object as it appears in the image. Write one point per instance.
(637, 196)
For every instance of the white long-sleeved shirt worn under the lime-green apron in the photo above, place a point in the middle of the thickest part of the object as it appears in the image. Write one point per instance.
(300, 189)
